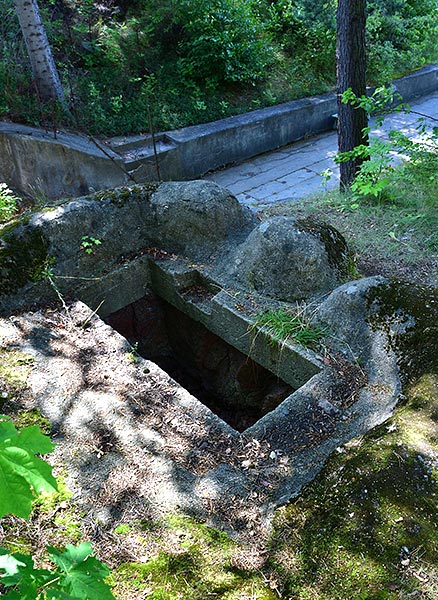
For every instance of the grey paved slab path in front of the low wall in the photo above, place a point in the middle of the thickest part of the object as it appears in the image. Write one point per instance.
(294, 171)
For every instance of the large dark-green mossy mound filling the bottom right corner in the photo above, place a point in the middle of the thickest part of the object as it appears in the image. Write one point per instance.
(367, 527)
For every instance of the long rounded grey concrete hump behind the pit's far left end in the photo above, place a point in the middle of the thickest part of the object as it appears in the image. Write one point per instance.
(192, 218)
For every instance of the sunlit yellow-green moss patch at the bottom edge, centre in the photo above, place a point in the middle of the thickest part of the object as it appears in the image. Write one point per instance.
(200, 563)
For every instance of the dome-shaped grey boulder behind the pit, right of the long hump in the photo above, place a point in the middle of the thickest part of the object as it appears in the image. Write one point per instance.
(291, 259)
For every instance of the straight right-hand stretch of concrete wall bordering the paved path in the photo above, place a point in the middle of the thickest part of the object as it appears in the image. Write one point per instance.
(202, 148)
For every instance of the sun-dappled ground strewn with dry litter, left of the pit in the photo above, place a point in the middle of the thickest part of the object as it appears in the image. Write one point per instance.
(129, 436)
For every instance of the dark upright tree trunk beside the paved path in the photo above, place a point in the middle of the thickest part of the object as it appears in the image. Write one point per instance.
(351, 73)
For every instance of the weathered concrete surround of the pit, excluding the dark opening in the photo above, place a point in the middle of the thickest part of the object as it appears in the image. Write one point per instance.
(344, 406)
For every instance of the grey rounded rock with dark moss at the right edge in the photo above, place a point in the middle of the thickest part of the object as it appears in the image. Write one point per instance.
(376, 316)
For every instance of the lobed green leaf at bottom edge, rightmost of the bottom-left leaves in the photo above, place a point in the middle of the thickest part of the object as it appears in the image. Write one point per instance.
(83, 574)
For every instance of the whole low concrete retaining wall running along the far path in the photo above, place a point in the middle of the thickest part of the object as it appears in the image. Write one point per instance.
(70, 165)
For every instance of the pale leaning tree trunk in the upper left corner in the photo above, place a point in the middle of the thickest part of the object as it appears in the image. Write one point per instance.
(43, 66)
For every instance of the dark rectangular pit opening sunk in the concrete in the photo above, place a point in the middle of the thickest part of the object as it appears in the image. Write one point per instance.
(232, 385)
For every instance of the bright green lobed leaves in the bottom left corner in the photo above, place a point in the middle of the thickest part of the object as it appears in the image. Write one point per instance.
(77, 575)
